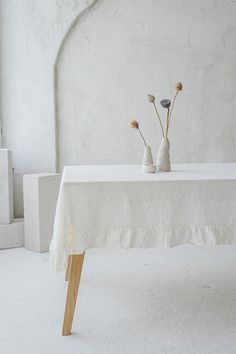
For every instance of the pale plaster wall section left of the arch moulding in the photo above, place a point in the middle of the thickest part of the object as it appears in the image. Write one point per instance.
(31, 33)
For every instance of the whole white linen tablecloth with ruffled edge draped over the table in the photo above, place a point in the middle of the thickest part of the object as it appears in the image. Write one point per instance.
(120, 206)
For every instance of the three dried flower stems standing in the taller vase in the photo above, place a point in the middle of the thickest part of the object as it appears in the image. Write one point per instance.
(166, 103)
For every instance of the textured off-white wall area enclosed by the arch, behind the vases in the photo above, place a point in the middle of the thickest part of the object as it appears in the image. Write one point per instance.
(122, 50)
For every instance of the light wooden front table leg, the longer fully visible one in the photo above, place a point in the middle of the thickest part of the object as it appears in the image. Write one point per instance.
(76, 264)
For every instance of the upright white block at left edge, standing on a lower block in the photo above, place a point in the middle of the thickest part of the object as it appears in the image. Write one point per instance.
(6, 187)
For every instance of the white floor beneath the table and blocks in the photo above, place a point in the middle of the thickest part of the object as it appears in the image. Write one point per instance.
(177, 301)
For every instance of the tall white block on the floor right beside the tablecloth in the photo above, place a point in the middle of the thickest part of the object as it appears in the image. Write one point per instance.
(40, 198)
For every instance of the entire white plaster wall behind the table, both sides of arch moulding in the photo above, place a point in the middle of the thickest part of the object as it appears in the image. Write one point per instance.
(116, 54)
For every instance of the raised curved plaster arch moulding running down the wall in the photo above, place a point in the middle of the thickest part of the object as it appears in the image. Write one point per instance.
(73, 23)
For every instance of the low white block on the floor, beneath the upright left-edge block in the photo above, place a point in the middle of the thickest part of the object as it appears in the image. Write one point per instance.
(12, 235)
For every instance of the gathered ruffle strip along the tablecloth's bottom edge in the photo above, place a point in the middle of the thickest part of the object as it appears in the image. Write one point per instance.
(125, 238)
